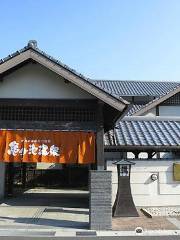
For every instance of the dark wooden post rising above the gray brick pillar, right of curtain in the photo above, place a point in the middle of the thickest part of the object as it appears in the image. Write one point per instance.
(100, 138)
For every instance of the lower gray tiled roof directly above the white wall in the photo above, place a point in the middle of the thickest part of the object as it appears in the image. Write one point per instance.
(137, 131)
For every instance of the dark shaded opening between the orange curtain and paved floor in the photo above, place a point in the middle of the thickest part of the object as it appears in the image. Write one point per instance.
(23, 176)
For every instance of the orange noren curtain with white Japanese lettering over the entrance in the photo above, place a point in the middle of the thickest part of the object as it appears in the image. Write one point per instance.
(47, 146)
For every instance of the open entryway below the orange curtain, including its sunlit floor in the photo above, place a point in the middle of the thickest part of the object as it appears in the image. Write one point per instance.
(46, 198)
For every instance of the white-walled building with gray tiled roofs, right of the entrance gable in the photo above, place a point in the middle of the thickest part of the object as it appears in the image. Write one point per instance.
(150, 135)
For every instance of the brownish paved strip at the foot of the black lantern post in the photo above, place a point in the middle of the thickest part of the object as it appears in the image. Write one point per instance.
(154, 223)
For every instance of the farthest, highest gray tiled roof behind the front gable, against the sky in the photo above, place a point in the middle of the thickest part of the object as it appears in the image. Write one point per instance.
(136, 88)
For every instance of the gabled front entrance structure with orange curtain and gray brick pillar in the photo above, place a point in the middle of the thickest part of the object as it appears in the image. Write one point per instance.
(49, 113)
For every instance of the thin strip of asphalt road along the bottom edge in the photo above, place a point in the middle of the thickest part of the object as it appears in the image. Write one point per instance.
(94, 238)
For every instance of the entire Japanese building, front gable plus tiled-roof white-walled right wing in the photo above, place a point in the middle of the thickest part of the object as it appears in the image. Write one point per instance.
(59, 128)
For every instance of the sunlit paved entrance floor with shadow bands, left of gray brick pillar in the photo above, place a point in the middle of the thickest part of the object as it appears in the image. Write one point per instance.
(38, 208)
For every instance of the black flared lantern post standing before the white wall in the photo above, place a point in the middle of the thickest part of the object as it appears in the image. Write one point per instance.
(124, 204)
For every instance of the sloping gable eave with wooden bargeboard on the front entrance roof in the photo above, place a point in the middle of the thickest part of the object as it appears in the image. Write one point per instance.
(78, 79)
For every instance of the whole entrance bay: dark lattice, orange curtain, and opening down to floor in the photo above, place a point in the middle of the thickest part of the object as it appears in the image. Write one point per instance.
(60, 191)
